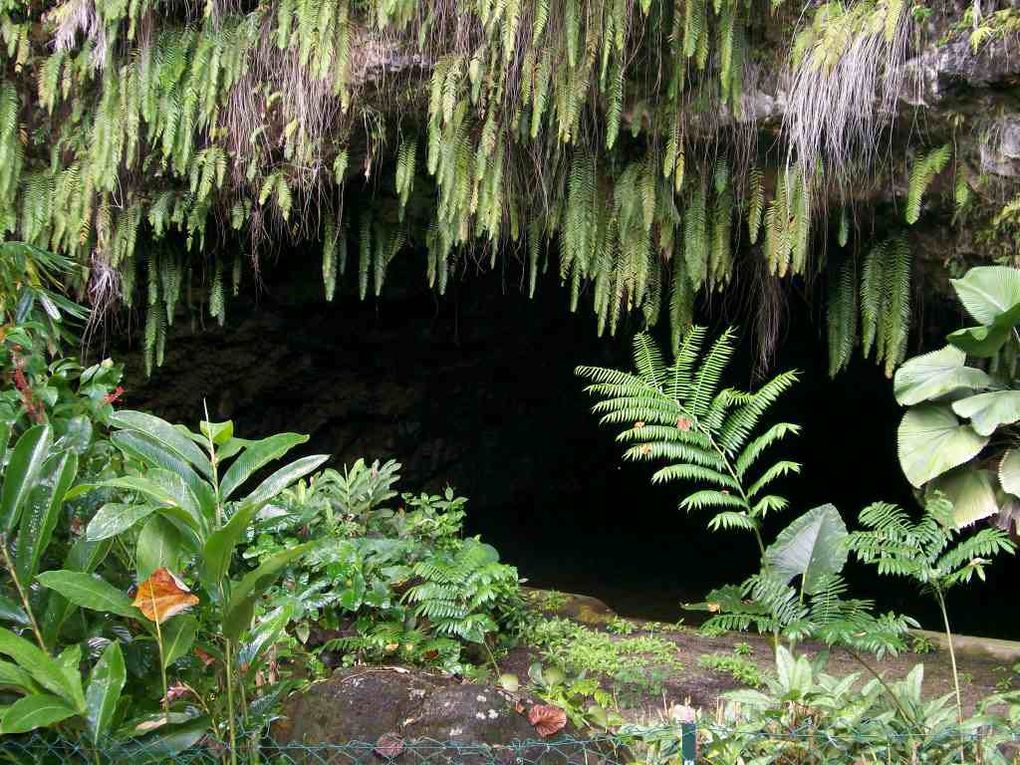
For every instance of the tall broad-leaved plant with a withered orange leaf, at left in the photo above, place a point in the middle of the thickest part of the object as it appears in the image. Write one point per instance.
(185, 508)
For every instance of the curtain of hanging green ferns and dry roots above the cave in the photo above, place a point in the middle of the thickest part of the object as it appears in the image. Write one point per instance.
(139, 123)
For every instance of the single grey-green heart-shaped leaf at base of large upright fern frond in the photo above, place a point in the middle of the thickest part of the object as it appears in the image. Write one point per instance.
(813, 547)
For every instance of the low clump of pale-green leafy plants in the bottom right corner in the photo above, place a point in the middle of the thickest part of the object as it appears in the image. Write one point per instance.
(804, 716)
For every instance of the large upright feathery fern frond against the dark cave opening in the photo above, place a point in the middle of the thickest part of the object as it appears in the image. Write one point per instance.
(707, 437)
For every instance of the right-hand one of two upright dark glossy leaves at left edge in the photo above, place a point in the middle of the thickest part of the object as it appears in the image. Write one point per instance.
(41, 513)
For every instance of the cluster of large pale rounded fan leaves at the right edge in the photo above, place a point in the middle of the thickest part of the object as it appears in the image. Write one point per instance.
(958, 434)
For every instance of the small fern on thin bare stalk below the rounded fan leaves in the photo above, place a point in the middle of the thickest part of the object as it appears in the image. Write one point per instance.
(931, 552)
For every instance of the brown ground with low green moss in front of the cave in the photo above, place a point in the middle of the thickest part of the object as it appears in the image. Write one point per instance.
(648, 667)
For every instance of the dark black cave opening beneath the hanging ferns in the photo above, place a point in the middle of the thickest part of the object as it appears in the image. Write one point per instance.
(477, 390)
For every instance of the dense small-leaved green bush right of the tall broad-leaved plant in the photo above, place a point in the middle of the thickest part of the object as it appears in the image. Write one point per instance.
(389, 583)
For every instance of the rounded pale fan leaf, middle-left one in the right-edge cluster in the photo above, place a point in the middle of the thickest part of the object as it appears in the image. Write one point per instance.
(933, 441)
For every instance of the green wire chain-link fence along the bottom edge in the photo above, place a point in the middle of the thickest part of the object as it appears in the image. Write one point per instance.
(680, 744)
